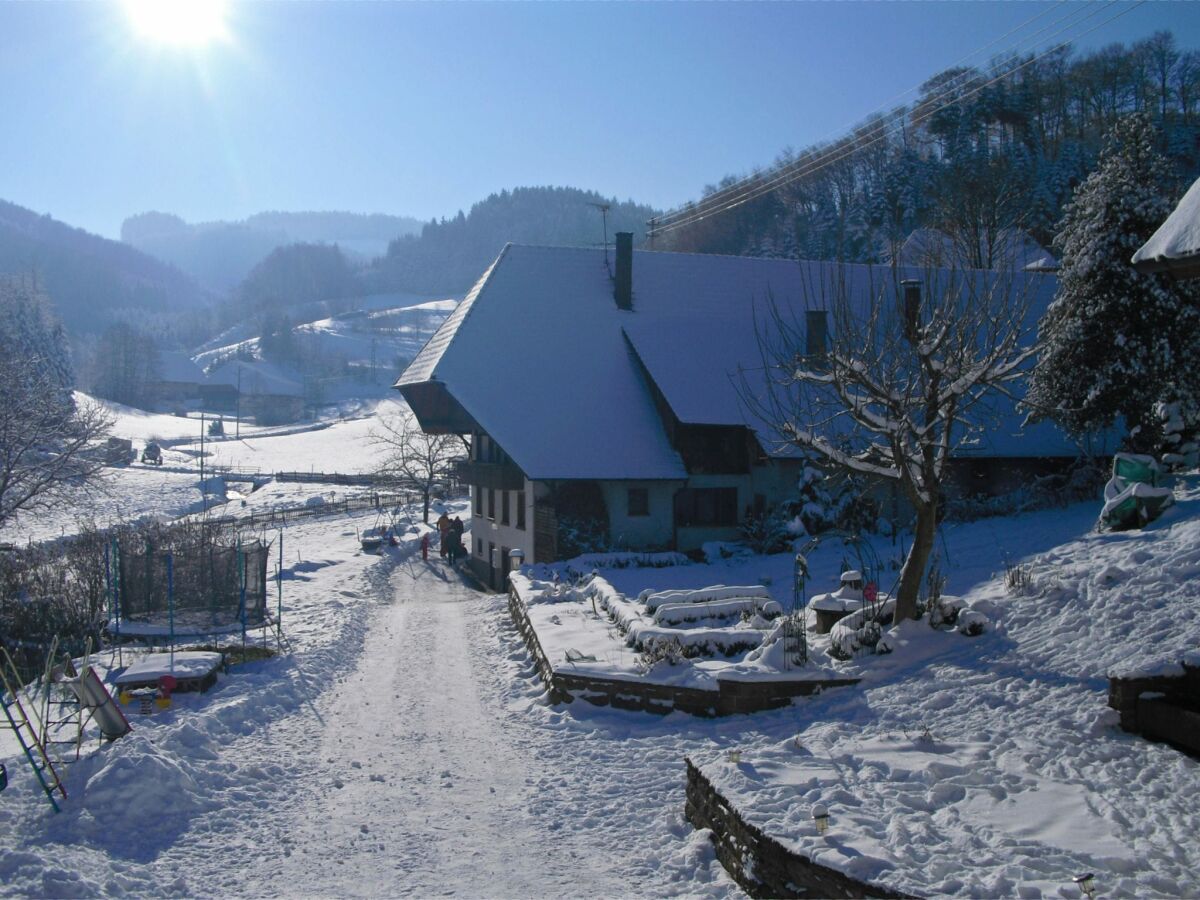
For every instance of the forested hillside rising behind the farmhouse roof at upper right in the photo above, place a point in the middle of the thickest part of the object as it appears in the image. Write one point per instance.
(981, 151)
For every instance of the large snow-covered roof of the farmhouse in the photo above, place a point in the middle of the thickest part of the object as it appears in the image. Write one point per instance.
(542, 358)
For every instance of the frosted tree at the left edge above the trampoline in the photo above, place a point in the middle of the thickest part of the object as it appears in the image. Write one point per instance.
(50, 445)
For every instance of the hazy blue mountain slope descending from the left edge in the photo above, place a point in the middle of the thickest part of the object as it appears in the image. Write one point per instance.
(92, 281)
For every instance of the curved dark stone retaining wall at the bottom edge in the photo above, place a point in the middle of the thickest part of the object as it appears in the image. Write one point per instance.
(760, 865)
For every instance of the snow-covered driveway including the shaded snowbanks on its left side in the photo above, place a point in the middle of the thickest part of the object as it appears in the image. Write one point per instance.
(406, 751)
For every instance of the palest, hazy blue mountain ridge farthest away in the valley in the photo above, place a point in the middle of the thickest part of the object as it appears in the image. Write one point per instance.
(220, 255)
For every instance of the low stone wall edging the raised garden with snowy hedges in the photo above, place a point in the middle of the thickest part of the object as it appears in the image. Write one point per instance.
(731, 697)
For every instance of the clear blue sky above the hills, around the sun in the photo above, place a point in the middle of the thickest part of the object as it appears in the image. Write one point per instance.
(424, 109)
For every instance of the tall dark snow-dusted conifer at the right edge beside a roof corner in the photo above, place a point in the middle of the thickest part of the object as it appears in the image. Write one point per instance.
(1117, 341)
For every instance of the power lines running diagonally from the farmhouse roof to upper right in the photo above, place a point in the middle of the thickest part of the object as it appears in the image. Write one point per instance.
(754, 187)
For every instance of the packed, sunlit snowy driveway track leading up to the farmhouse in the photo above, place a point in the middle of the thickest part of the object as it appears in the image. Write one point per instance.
(427, 789)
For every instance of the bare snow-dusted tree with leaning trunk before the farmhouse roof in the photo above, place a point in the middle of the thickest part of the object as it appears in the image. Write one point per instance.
(902, 383)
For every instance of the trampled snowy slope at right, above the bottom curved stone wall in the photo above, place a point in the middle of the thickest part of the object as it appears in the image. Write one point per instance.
(994, 767)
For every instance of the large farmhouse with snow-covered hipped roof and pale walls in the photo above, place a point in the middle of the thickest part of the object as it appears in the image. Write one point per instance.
(599, 386)
